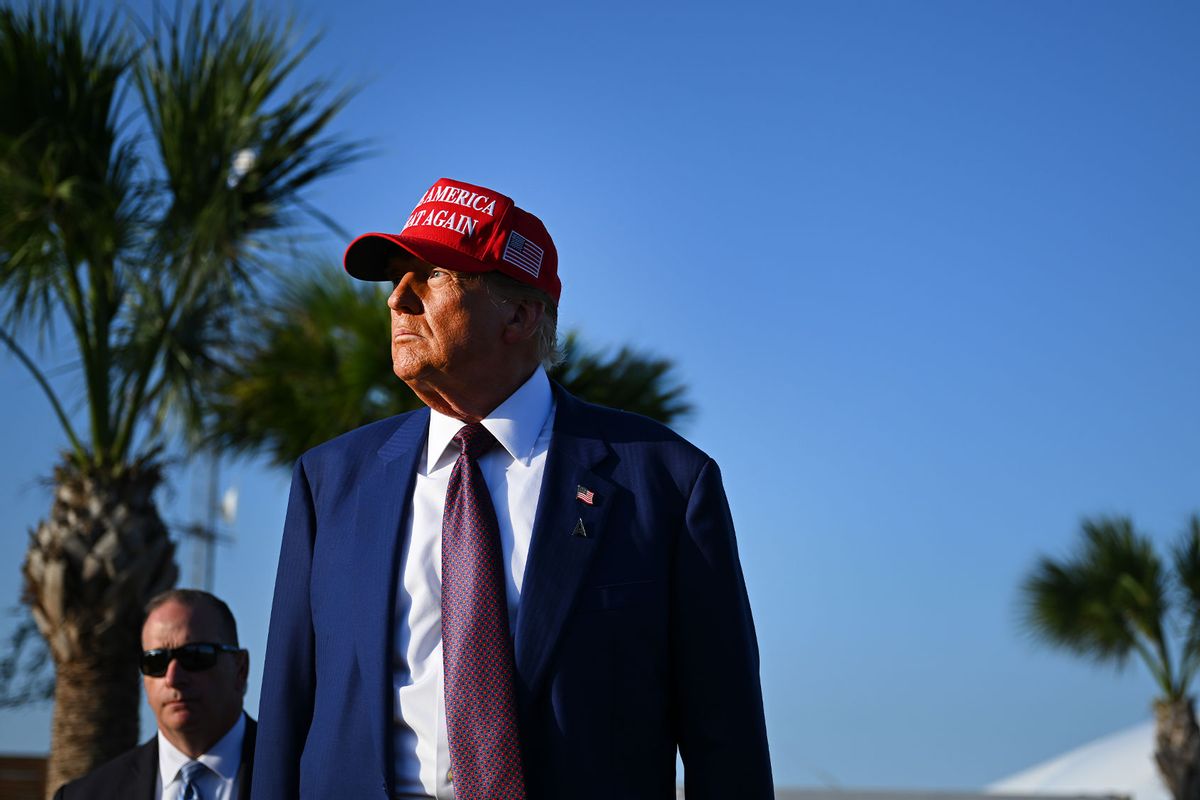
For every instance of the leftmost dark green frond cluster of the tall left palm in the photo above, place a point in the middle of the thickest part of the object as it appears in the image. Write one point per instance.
(67, 183)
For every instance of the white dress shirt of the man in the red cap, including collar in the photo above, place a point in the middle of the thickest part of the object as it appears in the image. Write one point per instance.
(513, 472)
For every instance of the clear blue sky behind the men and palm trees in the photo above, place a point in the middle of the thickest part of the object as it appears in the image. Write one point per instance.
(929, 269)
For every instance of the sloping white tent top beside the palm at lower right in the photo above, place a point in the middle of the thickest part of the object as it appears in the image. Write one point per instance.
(1123, 763)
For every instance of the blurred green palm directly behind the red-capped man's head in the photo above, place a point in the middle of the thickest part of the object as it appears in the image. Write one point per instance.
(322, 366)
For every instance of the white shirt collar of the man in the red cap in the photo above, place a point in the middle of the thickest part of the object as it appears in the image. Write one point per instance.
(517, 423)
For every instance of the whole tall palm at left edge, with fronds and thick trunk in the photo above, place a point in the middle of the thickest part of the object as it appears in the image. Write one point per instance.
(141, 176)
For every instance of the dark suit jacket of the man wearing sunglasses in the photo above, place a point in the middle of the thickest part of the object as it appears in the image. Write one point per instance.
(134, 775)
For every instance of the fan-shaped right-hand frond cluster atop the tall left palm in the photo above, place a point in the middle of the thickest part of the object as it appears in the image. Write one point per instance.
(215, 87)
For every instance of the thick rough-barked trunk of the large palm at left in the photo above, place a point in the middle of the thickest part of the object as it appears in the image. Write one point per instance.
(89, 572)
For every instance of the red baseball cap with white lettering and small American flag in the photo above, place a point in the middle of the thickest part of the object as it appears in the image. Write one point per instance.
(466, 228)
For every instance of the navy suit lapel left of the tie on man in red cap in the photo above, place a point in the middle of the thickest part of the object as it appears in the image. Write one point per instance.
(382, 509)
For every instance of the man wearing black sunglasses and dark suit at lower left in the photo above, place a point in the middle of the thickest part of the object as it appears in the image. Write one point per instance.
(195, 677)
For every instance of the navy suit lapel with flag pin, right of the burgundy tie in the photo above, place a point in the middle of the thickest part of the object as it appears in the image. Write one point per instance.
(566, 536)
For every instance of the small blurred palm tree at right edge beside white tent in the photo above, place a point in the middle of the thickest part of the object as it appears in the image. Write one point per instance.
(1114, 599)
